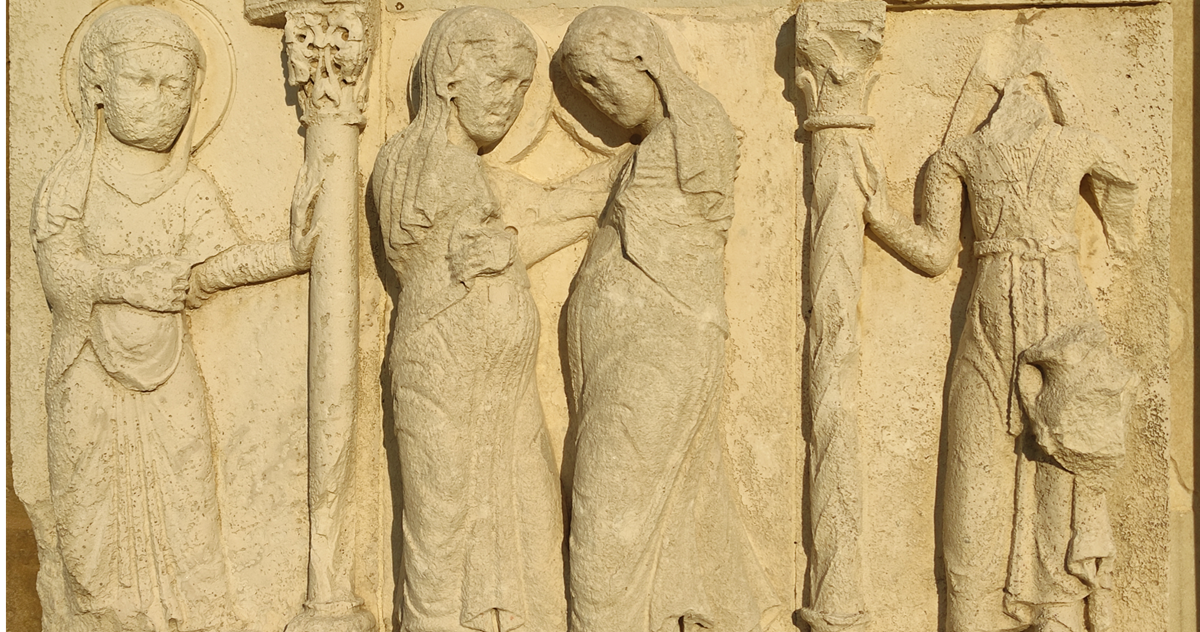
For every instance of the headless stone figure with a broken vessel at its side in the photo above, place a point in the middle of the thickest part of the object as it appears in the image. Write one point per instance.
(1031, 330)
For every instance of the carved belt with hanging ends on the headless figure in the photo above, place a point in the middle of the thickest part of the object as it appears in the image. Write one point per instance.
(1023, 252)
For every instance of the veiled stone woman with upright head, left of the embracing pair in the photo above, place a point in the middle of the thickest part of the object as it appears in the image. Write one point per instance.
(482, 502)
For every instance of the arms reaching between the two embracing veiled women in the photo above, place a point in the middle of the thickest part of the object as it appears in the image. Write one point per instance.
(550, 219)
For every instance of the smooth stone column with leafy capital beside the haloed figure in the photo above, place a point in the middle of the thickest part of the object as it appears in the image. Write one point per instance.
(328, 47)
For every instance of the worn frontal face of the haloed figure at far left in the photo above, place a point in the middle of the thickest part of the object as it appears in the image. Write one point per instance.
(148, 95)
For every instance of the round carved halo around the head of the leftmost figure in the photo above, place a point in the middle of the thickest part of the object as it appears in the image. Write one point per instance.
(217, 94)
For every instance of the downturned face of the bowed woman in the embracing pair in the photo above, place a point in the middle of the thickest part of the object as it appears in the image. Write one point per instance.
(622, 91)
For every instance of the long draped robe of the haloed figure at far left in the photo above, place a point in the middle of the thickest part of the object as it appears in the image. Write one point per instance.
(133, 478)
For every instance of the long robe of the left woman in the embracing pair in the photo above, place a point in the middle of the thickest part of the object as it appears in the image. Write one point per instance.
(482, 503)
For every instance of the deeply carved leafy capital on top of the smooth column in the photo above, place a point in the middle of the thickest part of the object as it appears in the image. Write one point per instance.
(328, 53)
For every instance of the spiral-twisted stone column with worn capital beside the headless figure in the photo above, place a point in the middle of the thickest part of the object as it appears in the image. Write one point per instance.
(837, 44)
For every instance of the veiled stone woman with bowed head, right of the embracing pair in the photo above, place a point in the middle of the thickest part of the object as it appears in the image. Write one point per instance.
(657, 543)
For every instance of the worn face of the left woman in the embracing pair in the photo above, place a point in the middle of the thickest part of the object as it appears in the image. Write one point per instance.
(490, 92)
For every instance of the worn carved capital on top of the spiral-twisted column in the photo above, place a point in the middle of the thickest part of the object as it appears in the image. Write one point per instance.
(837, 44)
